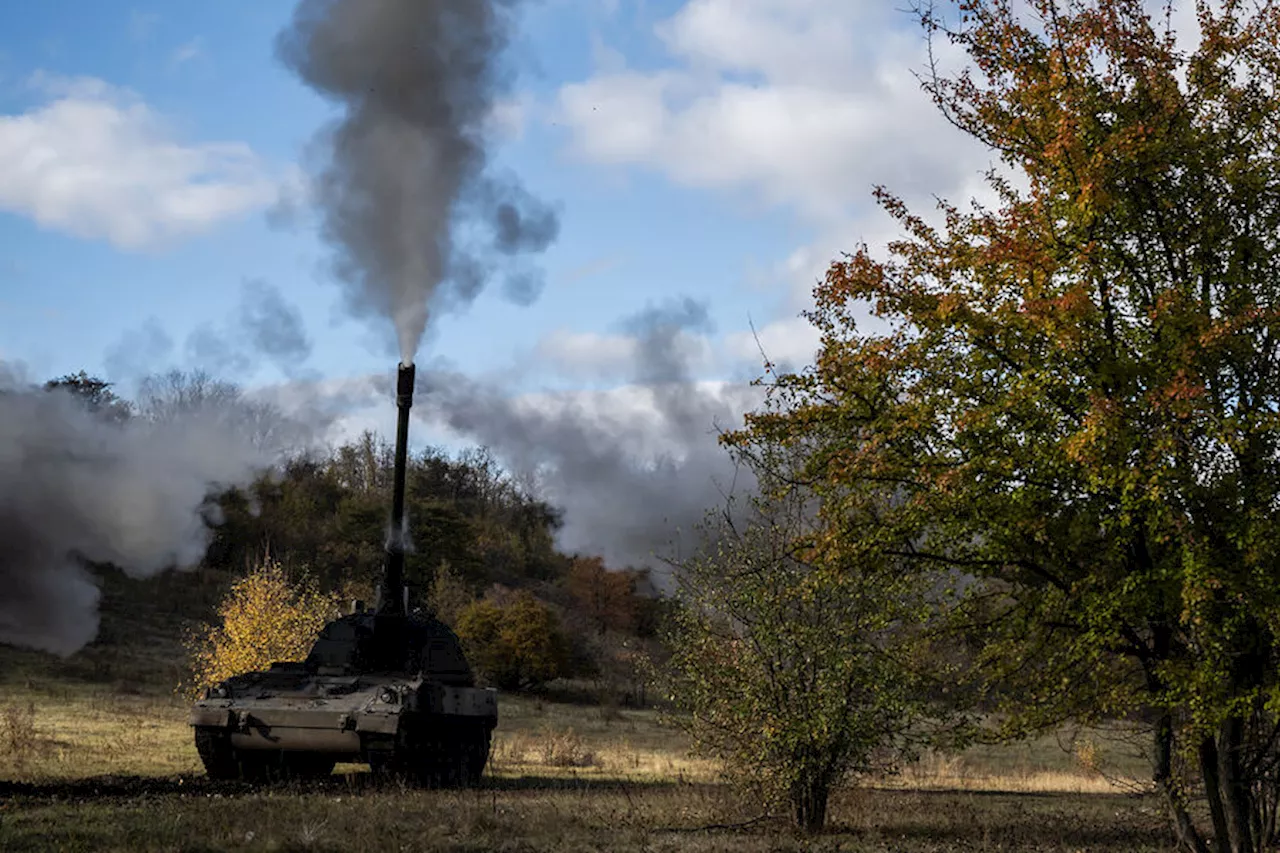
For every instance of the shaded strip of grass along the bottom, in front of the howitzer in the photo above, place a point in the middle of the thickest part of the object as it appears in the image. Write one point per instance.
(536, 816)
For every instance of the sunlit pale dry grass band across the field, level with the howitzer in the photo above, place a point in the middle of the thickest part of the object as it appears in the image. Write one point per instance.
(86, 732)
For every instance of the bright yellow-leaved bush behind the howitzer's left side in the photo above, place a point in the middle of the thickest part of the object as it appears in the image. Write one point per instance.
(264, 618)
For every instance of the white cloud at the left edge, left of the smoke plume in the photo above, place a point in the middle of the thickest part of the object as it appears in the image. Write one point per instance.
(97, 162)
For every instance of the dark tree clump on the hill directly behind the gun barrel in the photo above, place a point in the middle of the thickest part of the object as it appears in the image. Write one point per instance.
(331, 513)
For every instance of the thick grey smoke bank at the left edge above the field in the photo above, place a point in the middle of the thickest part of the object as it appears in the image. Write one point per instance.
(75, 487)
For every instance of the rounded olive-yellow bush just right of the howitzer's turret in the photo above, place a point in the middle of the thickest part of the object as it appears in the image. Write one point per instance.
(518, 645)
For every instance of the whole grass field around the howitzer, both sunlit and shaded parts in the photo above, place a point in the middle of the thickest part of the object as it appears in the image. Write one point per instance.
(97, 755)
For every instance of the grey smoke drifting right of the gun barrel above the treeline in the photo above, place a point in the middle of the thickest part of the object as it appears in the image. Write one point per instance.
(632, 487)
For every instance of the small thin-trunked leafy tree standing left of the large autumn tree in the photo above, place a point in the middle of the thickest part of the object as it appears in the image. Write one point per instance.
(796, 672)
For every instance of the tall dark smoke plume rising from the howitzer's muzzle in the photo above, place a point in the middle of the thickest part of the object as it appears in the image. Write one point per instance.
(415, 222)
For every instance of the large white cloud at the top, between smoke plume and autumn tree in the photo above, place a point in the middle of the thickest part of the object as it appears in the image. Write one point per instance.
(806, 104)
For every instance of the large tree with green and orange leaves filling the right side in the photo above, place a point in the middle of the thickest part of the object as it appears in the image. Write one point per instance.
(1076, 394)
